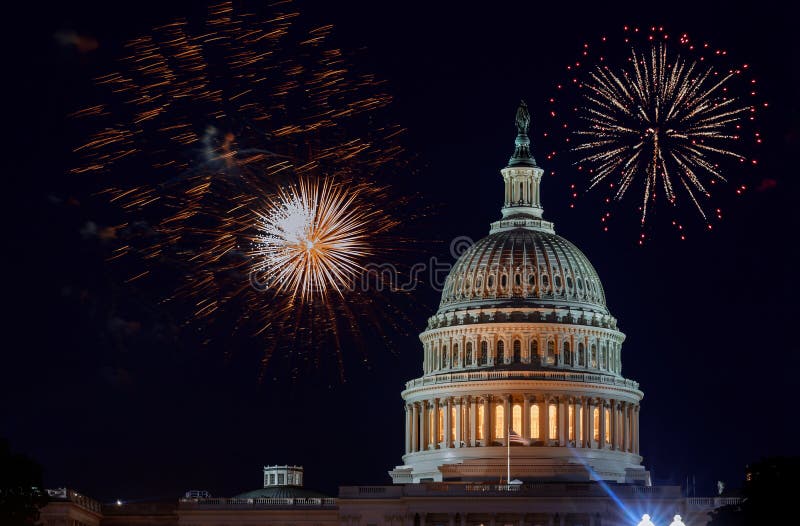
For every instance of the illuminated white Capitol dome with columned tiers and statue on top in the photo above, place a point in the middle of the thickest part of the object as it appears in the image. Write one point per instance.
(522, 362)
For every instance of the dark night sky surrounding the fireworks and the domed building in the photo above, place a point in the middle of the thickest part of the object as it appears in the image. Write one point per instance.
(710, 321)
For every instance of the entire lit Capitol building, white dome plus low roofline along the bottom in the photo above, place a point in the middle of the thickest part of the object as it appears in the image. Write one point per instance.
(522, 416)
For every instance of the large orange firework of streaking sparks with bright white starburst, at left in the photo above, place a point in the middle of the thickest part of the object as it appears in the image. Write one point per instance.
(240, 145)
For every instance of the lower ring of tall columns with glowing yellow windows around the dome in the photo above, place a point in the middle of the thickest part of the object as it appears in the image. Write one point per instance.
(530, 420)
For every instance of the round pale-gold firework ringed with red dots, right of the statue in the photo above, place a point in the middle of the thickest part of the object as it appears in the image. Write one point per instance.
(666, 121)
